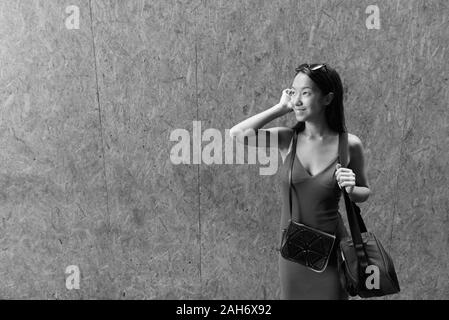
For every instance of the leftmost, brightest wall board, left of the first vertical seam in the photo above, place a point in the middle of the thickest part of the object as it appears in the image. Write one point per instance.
(53, 197)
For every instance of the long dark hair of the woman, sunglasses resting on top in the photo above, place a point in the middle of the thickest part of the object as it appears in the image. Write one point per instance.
(328, 80)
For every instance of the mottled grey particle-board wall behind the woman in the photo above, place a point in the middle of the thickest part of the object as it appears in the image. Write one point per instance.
(85, 173)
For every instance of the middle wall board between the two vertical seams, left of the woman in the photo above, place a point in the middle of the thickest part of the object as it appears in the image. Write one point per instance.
(146, 63)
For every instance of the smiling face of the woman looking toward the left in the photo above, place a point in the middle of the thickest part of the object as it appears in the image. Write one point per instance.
(307, 98)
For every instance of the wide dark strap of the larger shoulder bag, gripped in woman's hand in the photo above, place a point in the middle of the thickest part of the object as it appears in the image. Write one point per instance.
(355, 220)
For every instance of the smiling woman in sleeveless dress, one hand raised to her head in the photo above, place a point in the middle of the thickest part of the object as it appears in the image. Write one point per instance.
(316, 98)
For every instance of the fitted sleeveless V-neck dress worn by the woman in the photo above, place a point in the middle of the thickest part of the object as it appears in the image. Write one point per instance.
(319, 197)
